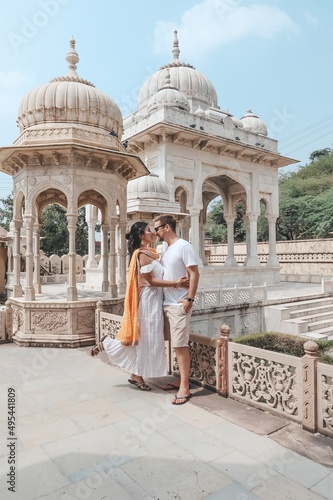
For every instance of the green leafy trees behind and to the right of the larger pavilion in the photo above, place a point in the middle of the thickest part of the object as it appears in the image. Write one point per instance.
(306, 205)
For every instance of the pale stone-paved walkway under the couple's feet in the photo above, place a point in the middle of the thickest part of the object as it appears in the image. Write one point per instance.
(83, 432)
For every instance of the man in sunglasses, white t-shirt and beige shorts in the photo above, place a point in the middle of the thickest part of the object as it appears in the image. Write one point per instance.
(178, 259)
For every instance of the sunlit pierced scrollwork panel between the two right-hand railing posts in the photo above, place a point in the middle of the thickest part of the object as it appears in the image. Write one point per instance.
(266, 382)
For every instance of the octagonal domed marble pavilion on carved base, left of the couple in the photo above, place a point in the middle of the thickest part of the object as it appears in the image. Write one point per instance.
(69, 152)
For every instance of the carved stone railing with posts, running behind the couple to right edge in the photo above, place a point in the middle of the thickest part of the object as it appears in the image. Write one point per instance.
(298, 389)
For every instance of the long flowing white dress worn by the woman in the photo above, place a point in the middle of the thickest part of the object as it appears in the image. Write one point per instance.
(148, 358)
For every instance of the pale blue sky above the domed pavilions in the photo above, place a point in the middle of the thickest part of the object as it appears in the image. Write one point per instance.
(273, 56)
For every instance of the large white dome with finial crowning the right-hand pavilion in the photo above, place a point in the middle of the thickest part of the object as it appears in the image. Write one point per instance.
(185, 78)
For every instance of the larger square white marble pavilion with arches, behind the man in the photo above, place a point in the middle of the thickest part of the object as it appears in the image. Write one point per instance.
(200, 152)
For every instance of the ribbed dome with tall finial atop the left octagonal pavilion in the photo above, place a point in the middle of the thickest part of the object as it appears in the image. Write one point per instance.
(70, 99)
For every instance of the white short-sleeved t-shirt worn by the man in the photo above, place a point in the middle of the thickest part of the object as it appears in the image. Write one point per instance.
(175, 259)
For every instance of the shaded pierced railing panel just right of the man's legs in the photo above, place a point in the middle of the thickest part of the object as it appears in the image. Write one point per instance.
(203, 363)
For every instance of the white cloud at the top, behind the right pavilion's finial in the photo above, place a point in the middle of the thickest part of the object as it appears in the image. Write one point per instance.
(213, 23)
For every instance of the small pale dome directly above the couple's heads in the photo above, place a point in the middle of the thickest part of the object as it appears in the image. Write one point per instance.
(148, 187)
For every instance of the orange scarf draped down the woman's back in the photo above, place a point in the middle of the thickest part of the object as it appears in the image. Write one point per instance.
(129, 329)
